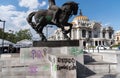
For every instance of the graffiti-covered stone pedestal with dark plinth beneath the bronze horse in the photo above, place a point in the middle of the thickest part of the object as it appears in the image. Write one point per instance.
(61, 56)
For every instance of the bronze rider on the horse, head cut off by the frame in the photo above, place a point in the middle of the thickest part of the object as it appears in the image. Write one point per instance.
(55, 9)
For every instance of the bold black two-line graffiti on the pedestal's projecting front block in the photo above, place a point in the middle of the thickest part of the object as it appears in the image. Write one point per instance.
(60, 63)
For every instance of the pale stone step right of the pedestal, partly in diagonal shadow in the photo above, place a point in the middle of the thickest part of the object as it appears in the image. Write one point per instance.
(100, 67)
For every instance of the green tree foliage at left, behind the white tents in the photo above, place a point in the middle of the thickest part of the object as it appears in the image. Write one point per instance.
(18, 36)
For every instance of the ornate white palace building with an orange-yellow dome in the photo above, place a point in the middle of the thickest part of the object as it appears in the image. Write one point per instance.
(88, 32)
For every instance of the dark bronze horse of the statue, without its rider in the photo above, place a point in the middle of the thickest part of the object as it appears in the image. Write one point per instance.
(44, 17)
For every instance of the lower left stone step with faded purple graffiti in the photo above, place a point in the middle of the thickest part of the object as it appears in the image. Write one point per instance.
(28, 71)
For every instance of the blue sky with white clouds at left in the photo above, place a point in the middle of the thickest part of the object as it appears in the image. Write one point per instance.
(14, 12)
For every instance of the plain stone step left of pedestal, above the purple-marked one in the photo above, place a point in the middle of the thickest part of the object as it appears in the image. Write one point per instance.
(17, 62)
